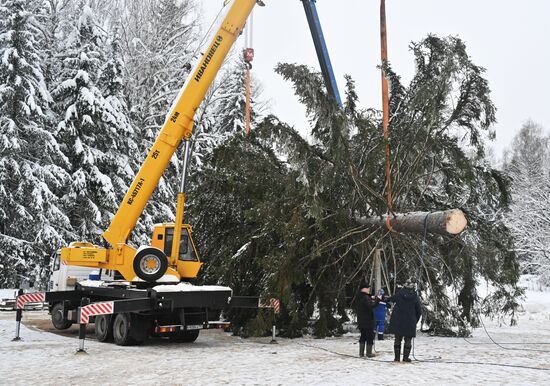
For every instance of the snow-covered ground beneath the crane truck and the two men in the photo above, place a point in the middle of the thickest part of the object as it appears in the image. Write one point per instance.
(219, 358)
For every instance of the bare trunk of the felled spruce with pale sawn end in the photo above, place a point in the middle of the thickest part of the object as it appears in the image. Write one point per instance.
(449, 222)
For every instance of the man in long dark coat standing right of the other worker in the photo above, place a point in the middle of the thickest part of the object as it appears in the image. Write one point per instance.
(404, 318)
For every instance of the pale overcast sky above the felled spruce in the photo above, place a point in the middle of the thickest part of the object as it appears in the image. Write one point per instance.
(509, 38)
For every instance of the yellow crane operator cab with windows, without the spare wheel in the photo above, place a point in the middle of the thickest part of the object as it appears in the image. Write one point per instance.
(188, 263)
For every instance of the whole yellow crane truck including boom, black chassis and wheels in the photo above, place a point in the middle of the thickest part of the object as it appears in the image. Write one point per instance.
(152, 299)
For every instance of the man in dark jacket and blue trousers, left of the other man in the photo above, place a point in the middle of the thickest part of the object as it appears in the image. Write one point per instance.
(365, 319)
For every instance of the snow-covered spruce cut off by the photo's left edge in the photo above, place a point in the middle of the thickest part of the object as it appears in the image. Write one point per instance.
(32, 225)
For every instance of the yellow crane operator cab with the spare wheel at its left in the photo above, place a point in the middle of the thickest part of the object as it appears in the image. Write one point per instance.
(153, 262)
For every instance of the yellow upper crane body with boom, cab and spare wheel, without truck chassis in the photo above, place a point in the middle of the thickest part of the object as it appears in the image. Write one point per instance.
(172, 254)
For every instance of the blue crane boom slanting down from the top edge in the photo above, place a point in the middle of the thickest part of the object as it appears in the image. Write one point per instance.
(321, 48)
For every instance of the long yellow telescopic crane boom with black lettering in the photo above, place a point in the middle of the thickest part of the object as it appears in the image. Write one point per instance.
(178, 124)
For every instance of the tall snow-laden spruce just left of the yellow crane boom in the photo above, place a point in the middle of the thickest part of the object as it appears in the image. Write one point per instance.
(94, 132)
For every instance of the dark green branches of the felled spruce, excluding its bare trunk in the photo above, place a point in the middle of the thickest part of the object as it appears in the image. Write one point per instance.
(280, 211)
